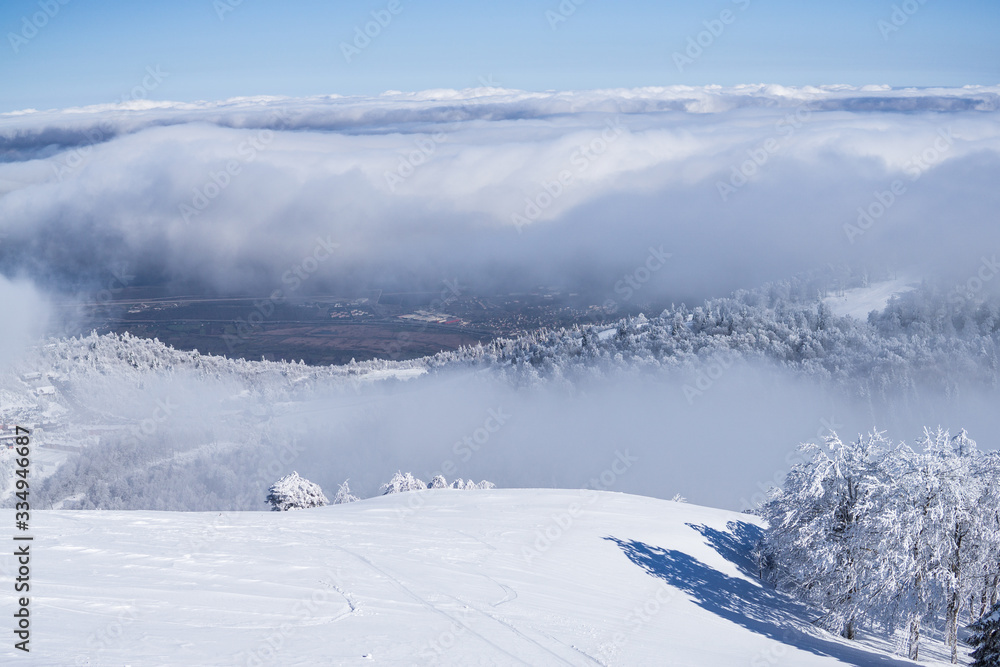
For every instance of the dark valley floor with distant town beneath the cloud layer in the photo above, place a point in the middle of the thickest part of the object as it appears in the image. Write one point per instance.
(321, 329)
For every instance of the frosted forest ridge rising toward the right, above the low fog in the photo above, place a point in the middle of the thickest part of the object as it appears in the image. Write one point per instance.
(777, 325)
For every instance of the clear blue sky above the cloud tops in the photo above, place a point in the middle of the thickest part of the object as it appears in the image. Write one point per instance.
(98, 51)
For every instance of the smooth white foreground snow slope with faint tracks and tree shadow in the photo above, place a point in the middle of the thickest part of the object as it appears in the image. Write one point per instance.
(514, 577)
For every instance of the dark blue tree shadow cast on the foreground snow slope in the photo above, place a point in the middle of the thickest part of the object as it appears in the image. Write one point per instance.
(754, 606)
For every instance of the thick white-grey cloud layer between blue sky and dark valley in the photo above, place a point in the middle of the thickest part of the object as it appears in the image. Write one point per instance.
(506, 188)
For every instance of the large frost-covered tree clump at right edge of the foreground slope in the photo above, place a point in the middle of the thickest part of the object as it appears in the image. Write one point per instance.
(889, 535)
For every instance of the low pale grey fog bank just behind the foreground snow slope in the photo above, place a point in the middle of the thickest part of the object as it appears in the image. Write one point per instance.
(637, 435)
